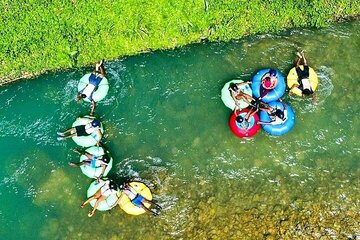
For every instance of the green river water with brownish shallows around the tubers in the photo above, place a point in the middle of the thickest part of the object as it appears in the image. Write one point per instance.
(166, 125)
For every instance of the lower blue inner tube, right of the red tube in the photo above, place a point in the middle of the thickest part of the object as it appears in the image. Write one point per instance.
(279, 129)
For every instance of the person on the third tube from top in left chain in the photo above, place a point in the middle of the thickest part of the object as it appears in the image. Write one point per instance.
(93, 161)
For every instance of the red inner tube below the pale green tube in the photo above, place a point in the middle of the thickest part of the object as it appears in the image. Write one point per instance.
(241, 132)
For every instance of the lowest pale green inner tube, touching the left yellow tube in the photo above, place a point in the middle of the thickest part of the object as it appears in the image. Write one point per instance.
(108, 203)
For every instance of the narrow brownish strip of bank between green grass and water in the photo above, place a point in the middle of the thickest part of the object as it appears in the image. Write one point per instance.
(4, 80)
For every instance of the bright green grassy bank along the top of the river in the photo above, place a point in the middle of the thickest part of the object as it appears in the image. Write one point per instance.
(39, 36)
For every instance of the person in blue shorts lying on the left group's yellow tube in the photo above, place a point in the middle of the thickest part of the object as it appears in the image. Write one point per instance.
(139, 200)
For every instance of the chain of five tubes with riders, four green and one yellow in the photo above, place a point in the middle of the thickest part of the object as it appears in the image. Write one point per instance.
(103, 194)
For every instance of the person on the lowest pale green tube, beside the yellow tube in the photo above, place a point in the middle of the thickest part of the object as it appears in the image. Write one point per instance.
(102, 194)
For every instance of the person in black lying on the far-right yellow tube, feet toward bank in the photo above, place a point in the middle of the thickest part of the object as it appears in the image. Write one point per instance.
(303, 77)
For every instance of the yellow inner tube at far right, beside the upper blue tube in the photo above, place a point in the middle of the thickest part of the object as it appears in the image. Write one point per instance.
(292, 80)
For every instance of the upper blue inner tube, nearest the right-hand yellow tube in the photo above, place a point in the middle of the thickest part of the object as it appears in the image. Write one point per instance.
(273, 94)
